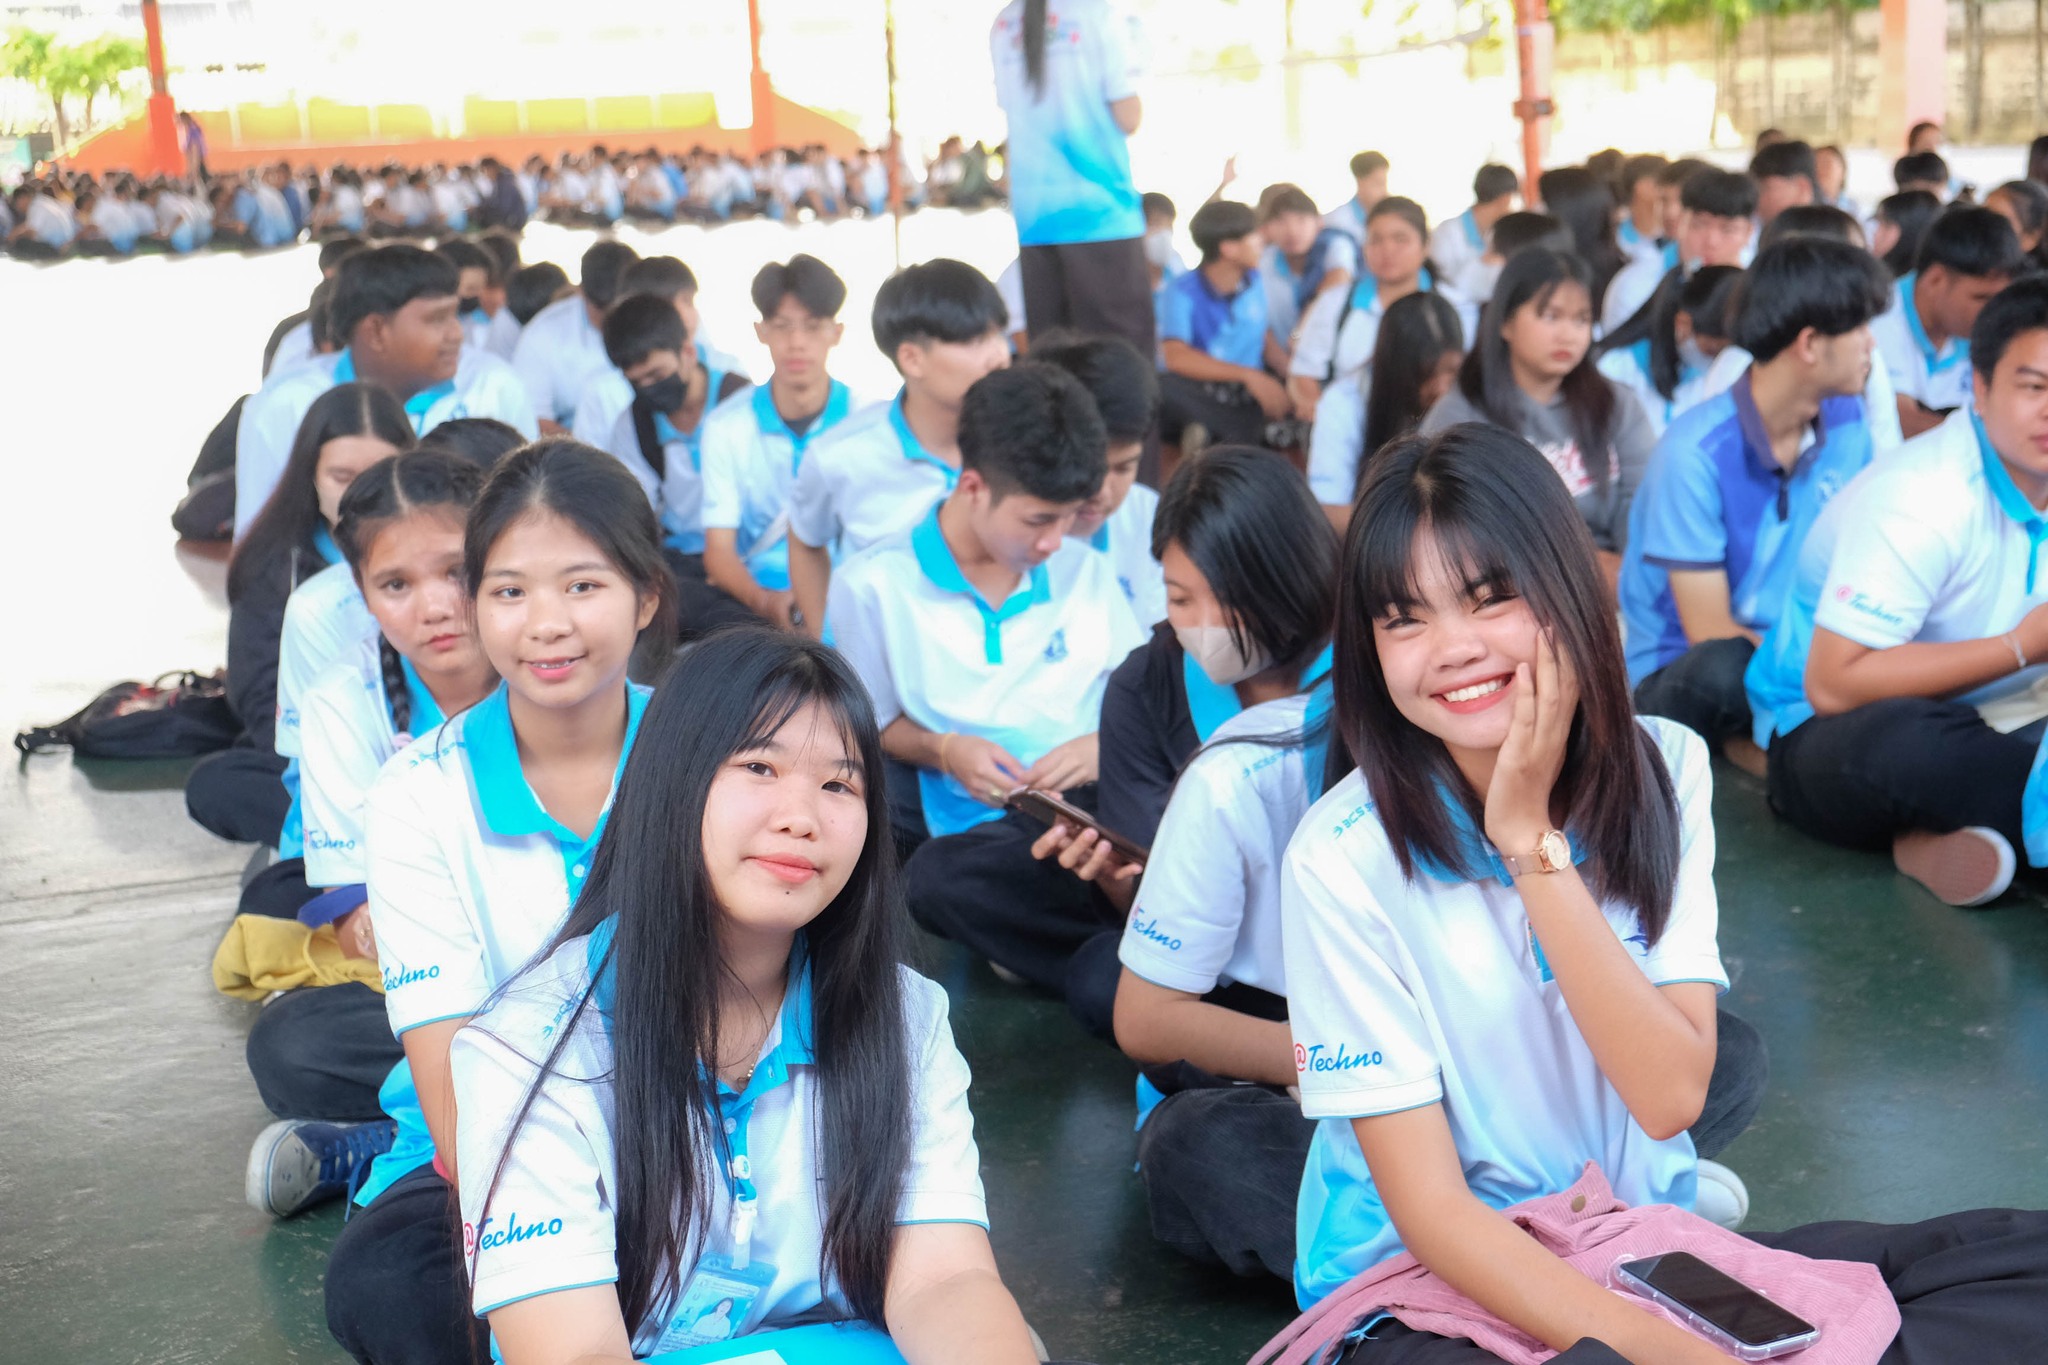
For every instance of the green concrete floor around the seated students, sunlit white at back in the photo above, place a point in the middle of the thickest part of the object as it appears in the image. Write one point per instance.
(1910, 1043)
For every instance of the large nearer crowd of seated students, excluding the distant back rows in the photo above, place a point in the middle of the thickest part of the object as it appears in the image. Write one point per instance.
(1408, 918)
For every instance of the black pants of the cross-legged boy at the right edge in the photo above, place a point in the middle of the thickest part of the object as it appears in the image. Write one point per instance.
(1895, 766)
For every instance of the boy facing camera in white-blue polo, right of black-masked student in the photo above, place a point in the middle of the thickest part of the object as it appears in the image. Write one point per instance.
(757, 441)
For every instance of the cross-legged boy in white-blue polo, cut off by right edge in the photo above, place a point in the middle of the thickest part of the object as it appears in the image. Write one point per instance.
(1900, 693)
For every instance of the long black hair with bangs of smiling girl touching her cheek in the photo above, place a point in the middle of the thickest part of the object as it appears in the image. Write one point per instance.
(1490, 504)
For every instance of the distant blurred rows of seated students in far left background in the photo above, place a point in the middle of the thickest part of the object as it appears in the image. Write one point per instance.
(120, 214)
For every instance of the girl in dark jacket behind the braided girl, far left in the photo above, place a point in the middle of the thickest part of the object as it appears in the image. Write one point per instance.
(241, 793)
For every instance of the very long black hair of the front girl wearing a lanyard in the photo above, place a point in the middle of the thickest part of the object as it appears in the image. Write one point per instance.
(730, 695)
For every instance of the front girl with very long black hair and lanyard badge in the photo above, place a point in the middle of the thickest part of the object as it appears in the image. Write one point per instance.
(720, 1104)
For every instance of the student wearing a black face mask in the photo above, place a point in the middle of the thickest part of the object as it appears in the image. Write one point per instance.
(658, 441)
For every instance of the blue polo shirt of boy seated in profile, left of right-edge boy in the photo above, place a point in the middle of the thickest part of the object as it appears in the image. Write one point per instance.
(1717, 498)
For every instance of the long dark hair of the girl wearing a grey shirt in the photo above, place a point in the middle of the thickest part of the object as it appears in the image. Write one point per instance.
(1488, 376)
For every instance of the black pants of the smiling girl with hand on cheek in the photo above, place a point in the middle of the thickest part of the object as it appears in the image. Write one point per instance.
(1969, 1286)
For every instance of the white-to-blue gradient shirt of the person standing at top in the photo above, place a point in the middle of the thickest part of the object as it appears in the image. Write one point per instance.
(1070, 165)
